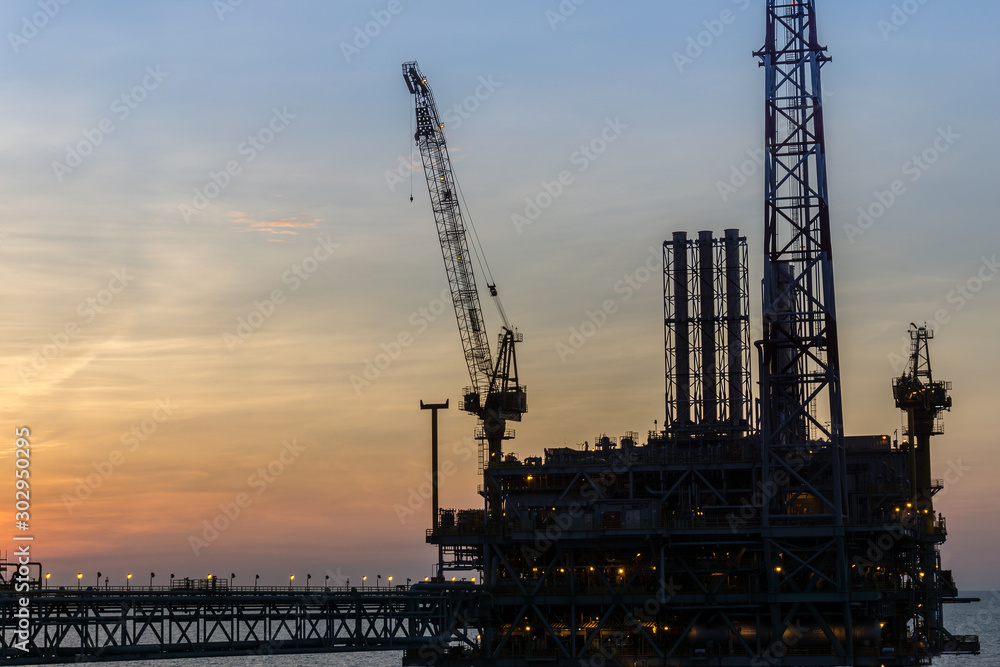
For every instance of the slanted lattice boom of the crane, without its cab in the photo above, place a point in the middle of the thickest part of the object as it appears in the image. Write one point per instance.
(444, 196)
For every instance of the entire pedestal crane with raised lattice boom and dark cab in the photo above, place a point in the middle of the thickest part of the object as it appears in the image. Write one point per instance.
(495, 395)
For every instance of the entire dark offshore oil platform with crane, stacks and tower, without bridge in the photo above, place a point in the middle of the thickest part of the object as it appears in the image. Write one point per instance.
(749, 531)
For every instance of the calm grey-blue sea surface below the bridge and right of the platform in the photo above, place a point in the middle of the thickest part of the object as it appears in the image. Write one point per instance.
(980, 618)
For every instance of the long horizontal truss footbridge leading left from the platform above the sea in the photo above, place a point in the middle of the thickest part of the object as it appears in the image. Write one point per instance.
(73, 626)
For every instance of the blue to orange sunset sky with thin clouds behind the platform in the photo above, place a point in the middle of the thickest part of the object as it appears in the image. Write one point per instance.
(222, 309)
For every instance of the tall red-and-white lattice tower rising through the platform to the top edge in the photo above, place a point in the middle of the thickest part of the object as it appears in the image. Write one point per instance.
(804, 507)
